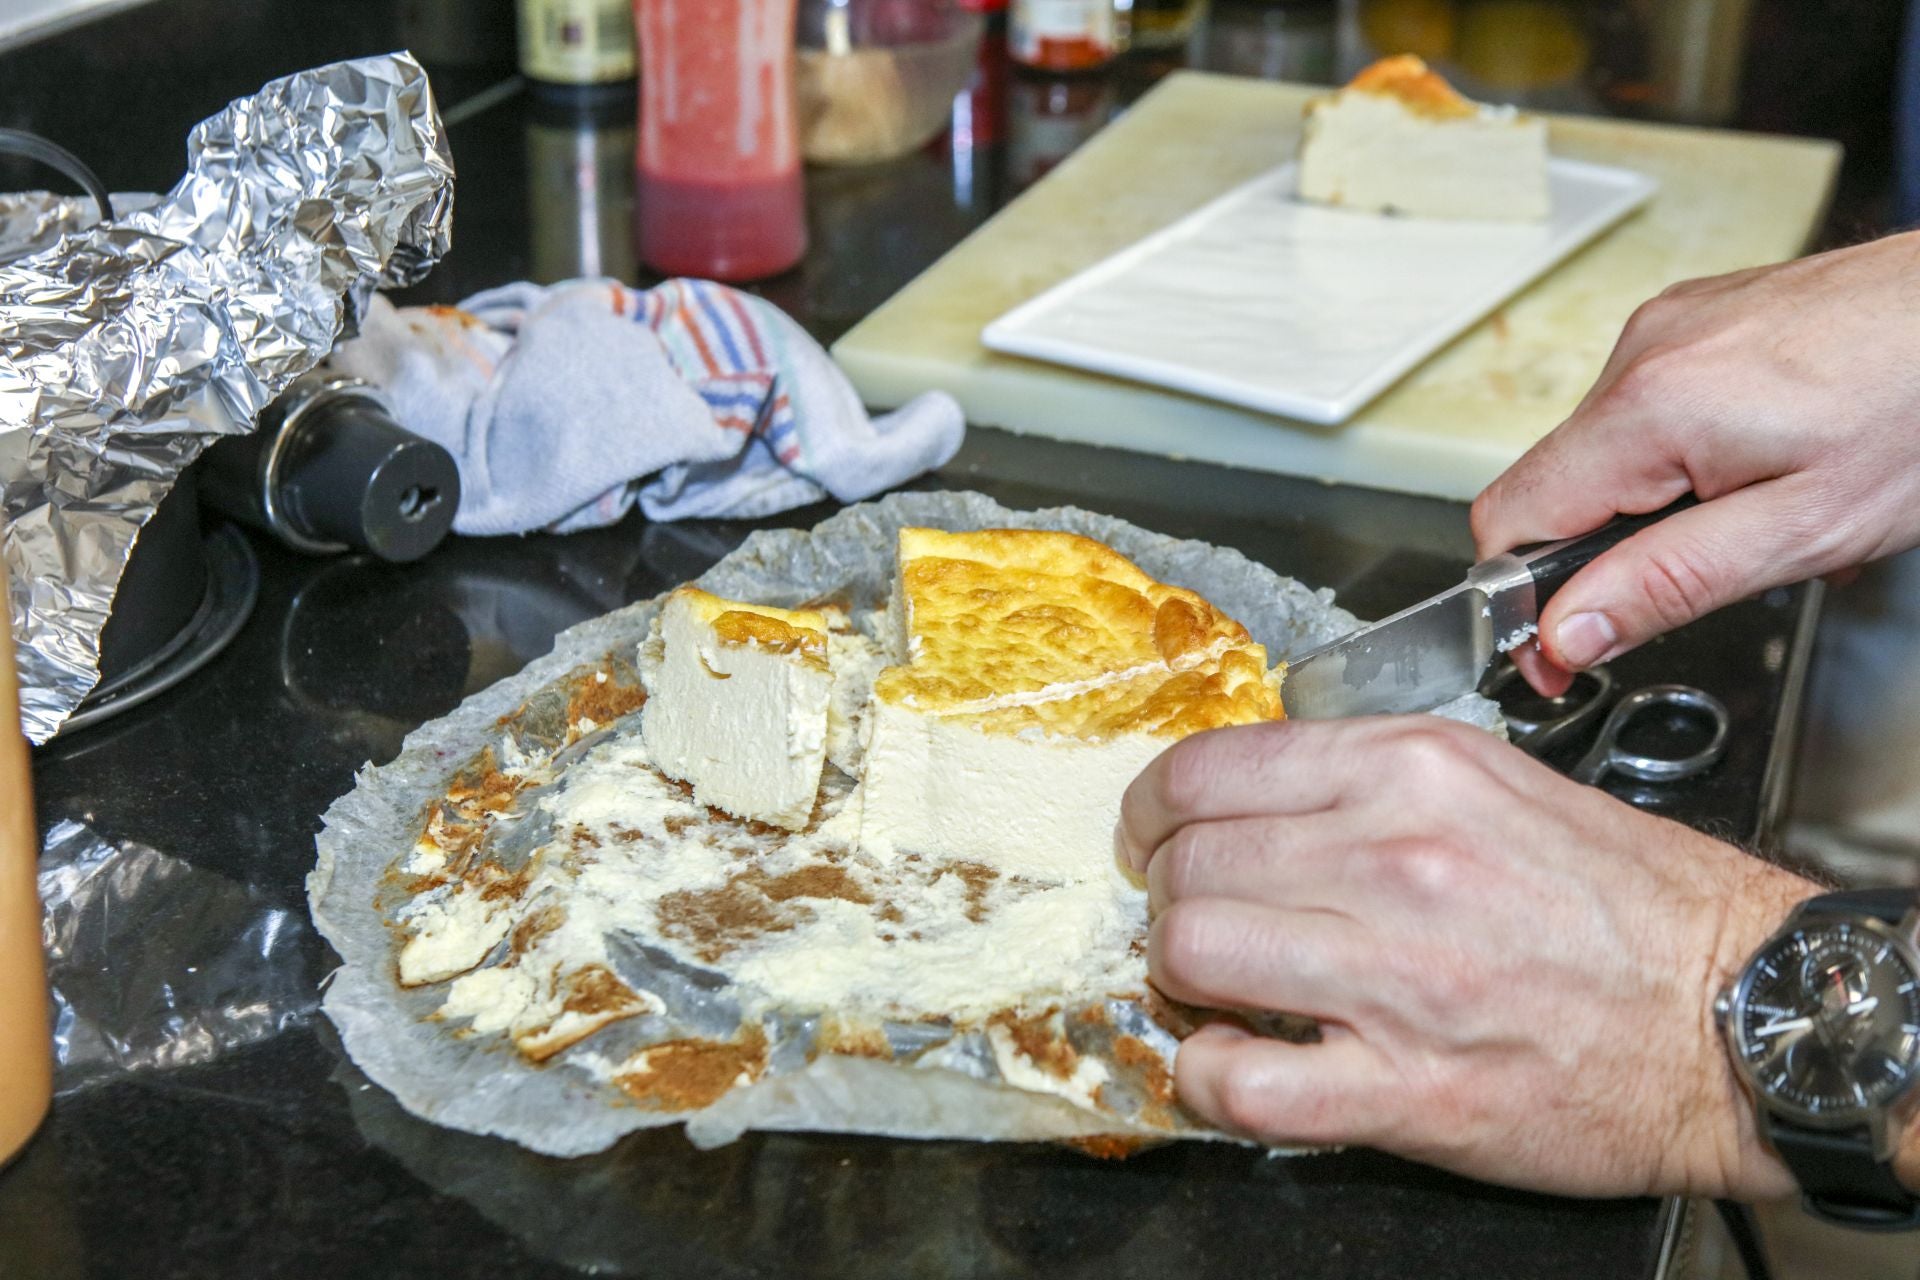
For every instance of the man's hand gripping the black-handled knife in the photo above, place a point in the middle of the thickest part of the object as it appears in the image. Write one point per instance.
(1788, 396)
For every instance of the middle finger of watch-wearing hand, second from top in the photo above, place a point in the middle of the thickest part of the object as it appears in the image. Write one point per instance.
(1299, 863)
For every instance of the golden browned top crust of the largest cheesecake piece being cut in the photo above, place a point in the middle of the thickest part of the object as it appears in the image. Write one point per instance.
(1042, 630)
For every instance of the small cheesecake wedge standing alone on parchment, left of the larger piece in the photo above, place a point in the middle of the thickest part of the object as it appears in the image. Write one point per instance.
(738, 705)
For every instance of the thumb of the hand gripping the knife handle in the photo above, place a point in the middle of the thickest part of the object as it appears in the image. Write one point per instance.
(1681, 569)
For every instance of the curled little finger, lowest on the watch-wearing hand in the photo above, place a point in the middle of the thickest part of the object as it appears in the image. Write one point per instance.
(1339, 1091)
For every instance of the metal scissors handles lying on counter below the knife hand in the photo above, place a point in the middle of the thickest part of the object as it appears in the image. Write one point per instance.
(1591, 696)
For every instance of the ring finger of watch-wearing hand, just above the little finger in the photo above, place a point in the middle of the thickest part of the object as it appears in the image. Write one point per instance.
(1226, 955)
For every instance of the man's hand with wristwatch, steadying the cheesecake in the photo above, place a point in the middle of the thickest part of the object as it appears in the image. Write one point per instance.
(1514, 972)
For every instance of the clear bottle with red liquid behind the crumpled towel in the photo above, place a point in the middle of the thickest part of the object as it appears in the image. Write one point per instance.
(719, 179)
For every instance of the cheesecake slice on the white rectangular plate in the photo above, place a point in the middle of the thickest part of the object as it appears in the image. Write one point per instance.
(1399, 139)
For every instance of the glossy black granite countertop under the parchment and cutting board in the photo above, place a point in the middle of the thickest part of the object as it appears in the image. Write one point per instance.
(277, 1158)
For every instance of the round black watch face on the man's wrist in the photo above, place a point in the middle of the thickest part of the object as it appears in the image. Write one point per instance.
(1827, 1022)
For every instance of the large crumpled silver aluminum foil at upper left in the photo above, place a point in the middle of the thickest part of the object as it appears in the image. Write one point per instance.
(130, 346)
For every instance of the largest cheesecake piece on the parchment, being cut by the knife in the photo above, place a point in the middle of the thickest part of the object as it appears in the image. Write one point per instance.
(1036, 675)
